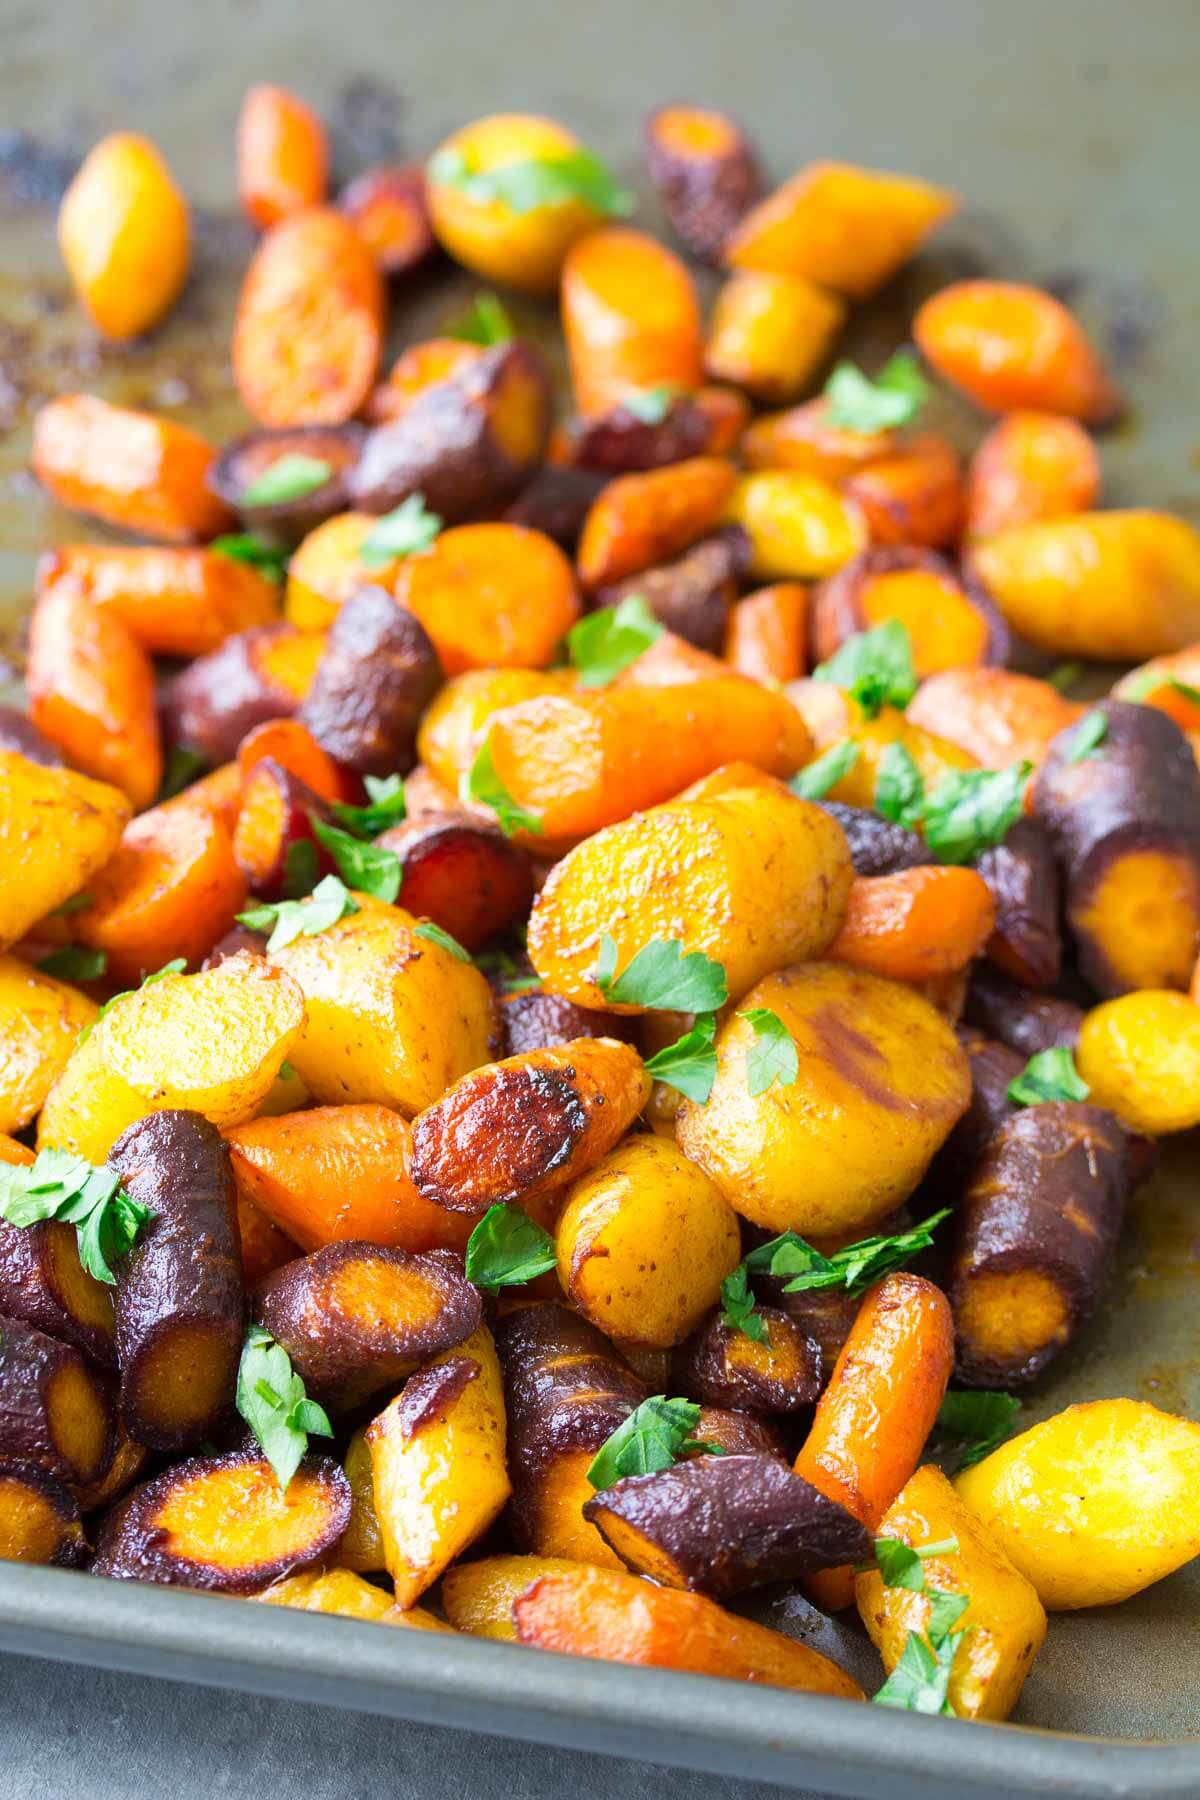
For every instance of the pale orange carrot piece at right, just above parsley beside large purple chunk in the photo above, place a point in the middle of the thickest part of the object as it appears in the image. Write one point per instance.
(996, 715)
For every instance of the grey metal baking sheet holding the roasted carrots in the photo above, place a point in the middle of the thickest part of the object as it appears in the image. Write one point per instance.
(1071, 134)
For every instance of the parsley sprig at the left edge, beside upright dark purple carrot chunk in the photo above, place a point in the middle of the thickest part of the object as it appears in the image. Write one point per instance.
(60, 1185)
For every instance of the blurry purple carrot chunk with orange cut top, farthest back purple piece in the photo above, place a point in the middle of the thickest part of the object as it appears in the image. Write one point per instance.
(706, 175)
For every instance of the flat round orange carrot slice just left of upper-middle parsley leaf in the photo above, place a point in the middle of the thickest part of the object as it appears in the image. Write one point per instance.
(492, 597)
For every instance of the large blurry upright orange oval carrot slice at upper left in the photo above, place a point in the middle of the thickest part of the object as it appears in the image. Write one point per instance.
(310, 319)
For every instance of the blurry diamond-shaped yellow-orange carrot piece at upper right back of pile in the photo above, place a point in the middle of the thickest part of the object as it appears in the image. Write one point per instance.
(845, 228)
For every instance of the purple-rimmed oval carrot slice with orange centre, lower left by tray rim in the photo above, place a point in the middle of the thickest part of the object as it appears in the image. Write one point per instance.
(224, 1524)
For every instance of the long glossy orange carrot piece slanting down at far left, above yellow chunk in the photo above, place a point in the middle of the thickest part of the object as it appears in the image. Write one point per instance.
(93, 692)
